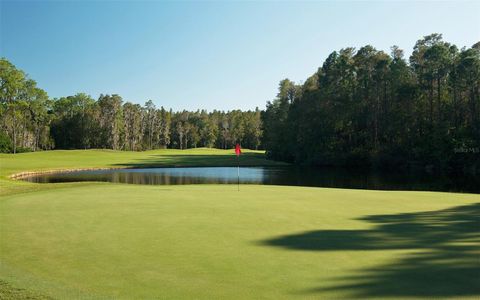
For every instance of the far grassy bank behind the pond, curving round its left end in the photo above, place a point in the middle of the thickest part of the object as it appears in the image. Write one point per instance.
(73, 159)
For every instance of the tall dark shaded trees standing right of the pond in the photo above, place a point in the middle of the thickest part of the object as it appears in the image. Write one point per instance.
(367, 107)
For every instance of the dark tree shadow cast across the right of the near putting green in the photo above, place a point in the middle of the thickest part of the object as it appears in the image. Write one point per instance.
(445, 261)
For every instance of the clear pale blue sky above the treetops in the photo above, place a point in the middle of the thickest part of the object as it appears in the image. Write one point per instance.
(212, 55)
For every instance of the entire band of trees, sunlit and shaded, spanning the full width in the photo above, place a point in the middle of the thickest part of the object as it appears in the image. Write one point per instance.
(362, 107)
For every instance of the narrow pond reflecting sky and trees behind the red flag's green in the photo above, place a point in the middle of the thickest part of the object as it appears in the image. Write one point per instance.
(294, 176)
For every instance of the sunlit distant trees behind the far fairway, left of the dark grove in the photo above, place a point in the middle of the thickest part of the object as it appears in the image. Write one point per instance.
(31, 121)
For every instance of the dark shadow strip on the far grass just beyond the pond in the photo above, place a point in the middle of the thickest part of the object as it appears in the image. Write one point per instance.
(202, 160)
